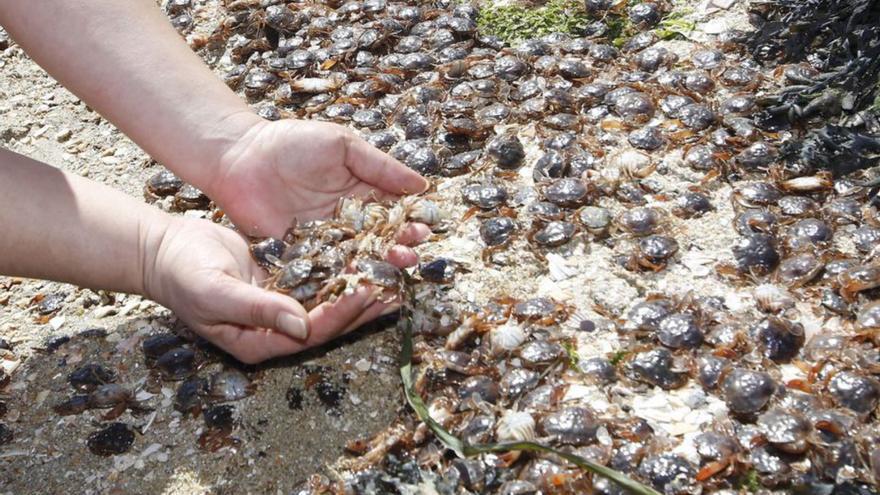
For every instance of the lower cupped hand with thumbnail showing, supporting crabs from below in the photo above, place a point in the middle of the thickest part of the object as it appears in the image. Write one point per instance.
(205, 274)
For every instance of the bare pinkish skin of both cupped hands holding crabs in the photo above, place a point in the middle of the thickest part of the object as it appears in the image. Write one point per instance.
(276, 172)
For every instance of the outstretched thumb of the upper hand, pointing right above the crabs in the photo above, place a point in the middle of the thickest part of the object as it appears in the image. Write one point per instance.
(379, 169)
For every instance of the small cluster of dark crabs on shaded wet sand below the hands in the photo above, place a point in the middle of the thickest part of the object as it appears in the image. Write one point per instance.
(97, 386)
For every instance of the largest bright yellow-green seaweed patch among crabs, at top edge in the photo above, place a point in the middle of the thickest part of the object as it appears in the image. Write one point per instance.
(513, 23)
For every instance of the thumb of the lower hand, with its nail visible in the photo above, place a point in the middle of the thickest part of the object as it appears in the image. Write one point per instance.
(247, 305)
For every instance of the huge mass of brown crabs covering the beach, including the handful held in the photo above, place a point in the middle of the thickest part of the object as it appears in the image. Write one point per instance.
(632, 260)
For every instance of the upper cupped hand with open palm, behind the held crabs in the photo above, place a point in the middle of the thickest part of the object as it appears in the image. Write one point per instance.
(290, 169)
